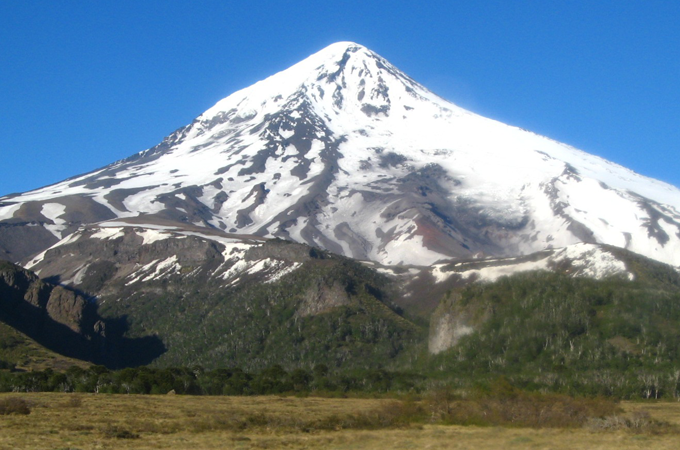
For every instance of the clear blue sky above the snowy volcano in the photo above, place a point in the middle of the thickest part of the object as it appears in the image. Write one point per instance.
(83, 84)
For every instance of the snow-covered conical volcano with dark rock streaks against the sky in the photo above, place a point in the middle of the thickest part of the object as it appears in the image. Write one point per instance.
(344, 152)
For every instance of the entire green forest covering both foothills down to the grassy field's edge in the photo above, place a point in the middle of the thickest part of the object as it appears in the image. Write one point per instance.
(540, 331)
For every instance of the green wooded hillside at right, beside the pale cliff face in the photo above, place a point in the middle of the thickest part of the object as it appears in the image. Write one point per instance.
(551, 332)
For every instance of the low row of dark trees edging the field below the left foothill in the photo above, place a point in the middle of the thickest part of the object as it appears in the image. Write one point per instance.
(198, 381)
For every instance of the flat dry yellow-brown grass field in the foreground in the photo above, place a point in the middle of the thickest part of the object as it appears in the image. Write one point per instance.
(88, 421)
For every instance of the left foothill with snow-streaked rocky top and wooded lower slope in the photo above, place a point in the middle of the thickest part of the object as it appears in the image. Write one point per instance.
(222, 300)
